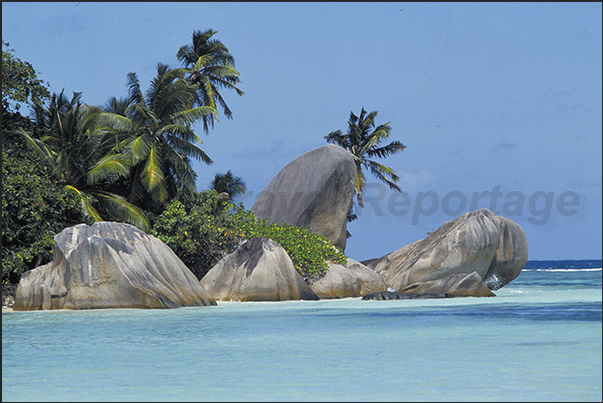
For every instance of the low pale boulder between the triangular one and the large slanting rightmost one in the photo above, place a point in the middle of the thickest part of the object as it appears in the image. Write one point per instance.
(352, 280)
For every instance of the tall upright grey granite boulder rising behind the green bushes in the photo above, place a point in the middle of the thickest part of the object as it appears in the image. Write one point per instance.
(315, 191)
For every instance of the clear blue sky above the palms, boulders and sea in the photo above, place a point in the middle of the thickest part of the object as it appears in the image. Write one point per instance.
(499, 104)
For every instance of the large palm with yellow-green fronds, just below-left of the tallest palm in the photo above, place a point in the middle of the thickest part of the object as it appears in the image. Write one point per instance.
(161, 140)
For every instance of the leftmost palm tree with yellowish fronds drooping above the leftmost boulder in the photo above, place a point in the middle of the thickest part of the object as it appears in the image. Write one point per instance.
(74, 145)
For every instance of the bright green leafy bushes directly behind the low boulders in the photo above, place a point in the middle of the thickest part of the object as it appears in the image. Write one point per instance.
(201, 237)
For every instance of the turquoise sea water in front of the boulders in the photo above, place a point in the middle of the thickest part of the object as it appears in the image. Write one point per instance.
(538, 340)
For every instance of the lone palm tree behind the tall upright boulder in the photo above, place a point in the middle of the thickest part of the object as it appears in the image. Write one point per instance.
(363, 141)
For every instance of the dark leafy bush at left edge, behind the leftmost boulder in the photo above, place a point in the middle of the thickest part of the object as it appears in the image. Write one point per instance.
(34, 208)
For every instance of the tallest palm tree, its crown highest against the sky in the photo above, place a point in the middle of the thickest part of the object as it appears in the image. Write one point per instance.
(210, 66)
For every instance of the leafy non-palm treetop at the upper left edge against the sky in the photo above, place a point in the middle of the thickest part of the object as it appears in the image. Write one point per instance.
(19, 81)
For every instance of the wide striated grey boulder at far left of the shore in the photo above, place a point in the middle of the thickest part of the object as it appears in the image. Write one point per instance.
(110, 265)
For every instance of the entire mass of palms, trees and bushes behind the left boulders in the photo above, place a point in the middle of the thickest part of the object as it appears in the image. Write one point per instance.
(130, 160)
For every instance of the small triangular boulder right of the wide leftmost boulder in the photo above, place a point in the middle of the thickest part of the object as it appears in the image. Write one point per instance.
(259, 270)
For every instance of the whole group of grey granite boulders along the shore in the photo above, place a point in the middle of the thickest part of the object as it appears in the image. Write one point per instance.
(115, 265)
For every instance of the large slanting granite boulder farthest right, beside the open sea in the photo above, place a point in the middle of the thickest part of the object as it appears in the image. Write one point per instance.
(479, 243)
